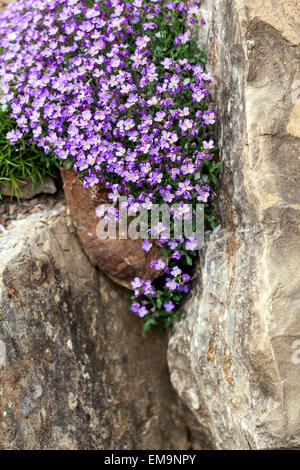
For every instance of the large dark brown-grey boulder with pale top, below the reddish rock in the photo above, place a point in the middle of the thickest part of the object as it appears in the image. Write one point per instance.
(76, 371)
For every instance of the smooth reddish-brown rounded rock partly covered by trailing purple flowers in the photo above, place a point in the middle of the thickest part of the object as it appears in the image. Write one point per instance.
(121, 260)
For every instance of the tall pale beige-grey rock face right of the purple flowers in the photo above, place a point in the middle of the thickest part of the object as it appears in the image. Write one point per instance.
(230, 357)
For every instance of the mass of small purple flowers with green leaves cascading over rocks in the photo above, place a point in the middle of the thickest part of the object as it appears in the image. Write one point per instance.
(118, 90)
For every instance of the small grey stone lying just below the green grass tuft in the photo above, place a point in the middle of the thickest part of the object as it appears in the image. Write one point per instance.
(28, 189)
